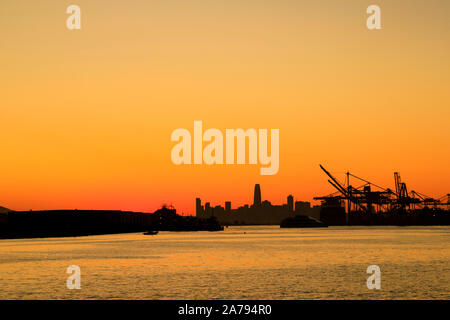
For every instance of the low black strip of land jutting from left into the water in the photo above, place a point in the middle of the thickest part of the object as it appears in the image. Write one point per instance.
(74, 223)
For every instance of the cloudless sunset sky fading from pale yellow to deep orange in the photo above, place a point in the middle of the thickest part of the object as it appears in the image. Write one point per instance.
(86, 115)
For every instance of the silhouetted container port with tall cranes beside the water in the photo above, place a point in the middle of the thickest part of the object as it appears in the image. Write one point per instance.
(370, 204)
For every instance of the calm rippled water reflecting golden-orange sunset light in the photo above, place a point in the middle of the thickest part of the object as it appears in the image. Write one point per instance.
(240, 263)
